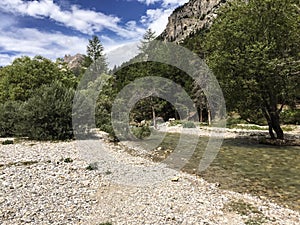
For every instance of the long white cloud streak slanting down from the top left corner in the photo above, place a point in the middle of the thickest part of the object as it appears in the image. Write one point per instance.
(85, 21)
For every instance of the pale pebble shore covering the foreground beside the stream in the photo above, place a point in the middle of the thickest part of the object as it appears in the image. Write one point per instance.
(50, 183)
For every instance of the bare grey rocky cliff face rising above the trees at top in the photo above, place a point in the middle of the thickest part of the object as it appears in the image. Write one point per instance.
(189, 18)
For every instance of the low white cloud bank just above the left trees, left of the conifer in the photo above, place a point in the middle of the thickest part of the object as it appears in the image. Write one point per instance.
(32, 42)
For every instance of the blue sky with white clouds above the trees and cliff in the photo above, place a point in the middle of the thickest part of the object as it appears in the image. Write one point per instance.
(55, 28)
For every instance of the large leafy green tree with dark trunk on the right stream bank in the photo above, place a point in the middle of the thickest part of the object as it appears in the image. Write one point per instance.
(253, 49)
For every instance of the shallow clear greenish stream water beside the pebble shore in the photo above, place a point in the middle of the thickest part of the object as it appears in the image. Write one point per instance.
(244, 166)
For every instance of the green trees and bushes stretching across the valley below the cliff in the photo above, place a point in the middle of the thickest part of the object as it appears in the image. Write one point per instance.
(252, 49)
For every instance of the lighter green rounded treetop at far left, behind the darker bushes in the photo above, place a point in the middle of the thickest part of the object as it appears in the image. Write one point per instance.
(20, 80)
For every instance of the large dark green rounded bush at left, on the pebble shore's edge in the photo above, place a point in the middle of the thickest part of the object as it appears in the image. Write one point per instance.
(48, 114)
